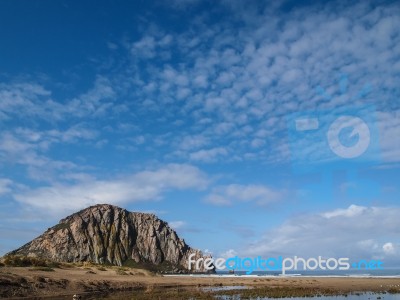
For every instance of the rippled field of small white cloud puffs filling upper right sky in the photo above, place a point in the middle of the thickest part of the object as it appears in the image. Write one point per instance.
(273, 66)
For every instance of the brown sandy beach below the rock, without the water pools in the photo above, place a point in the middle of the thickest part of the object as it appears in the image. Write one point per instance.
(16, 282)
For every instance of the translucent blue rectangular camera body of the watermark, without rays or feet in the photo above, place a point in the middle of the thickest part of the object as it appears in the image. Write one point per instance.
(342, 136)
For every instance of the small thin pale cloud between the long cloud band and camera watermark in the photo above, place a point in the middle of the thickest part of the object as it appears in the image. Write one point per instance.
(228, 194)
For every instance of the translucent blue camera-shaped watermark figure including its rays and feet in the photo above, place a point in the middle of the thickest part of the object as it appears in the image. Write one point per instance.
(344, 138)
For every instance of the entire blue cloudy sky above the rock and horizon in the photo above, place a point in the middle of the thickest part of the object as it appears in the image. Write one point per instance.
(251, 127)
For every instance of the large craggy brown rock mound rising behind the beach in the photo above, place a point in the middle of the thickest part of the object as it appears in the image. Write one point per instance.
(107, 234)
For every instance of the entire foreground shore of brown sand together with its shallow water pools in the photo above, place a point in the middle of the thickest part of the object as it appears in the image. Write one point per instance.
(95, 282)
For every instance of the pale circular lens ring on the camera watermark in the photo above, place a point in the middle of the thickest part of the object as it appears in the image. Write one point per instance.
(359, 130)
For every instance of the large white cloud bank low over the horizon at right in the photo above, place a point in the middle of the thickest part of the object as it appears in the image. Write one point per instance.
(356, 232)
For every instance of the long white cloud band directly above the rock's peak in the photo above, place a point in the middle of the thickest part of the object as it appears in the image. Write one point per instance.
(142, 186)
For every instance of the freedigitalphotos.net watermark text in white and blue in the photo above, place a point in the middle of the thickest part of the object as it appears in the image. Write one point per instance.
(249, 265)
